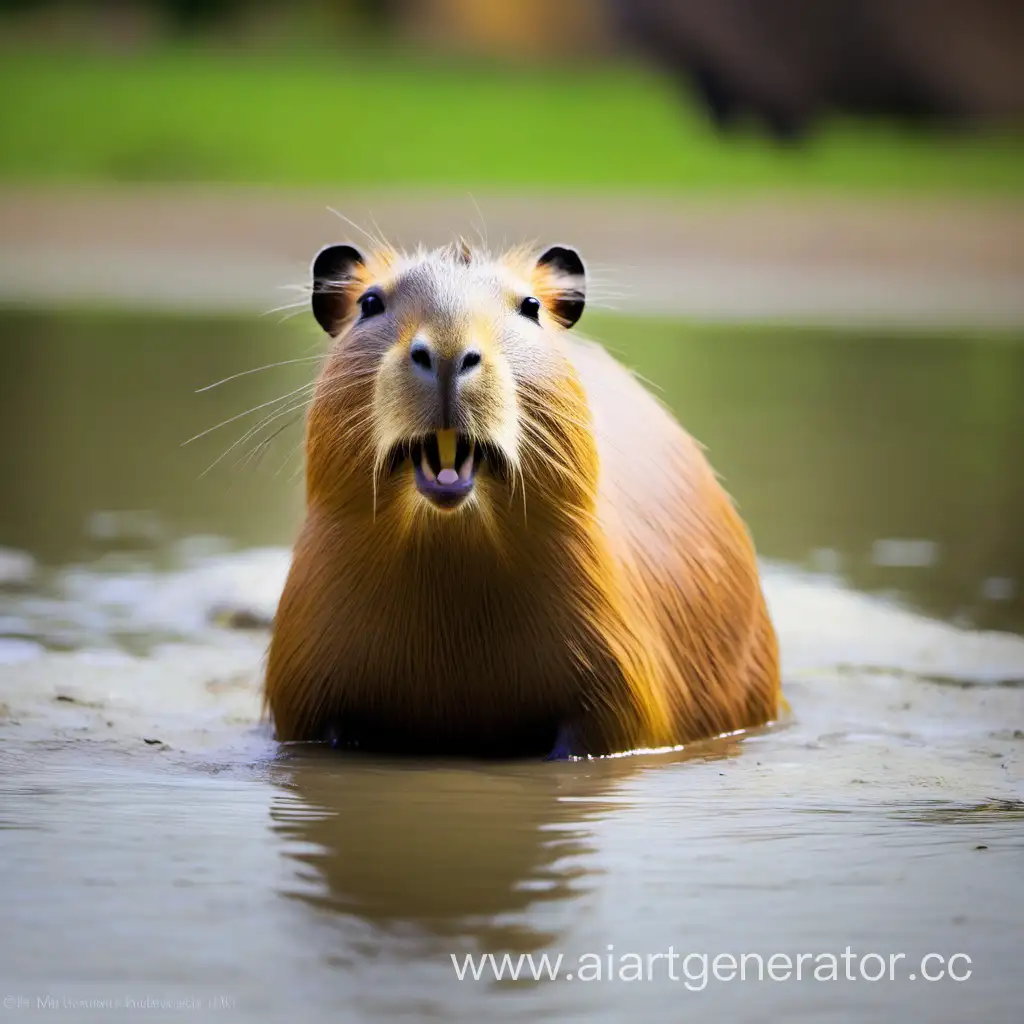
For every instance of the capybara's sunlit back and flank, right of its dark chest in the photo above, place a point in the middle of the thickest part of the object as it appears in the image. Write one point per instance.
(690, 576)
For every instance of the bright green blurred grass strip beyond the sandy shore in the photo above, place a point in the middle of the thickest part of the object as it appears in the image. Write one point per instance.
(187, 116)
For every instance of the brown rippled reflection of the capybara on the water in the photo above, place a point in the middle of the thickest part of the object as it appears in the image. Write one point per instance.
(468, 852)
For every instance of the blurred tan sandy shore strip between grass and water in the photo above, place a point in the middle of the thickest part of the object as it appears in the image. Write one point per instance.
(819, 261)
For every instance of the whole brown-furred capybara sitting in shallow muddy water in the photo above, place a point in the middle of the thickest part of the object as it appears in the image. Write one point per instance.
(584, 587)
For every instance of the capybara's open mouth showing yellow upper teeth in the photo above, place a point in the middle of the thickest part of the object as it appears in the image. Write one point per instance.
(446, 465)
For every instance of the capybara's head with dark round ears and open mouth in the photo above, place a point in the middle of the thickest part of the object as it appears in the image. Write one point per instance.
(449, 388)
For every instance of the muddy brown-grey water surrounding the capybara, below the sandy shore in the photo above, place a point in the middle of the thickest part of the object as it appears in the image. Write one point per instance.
(157, 845)
